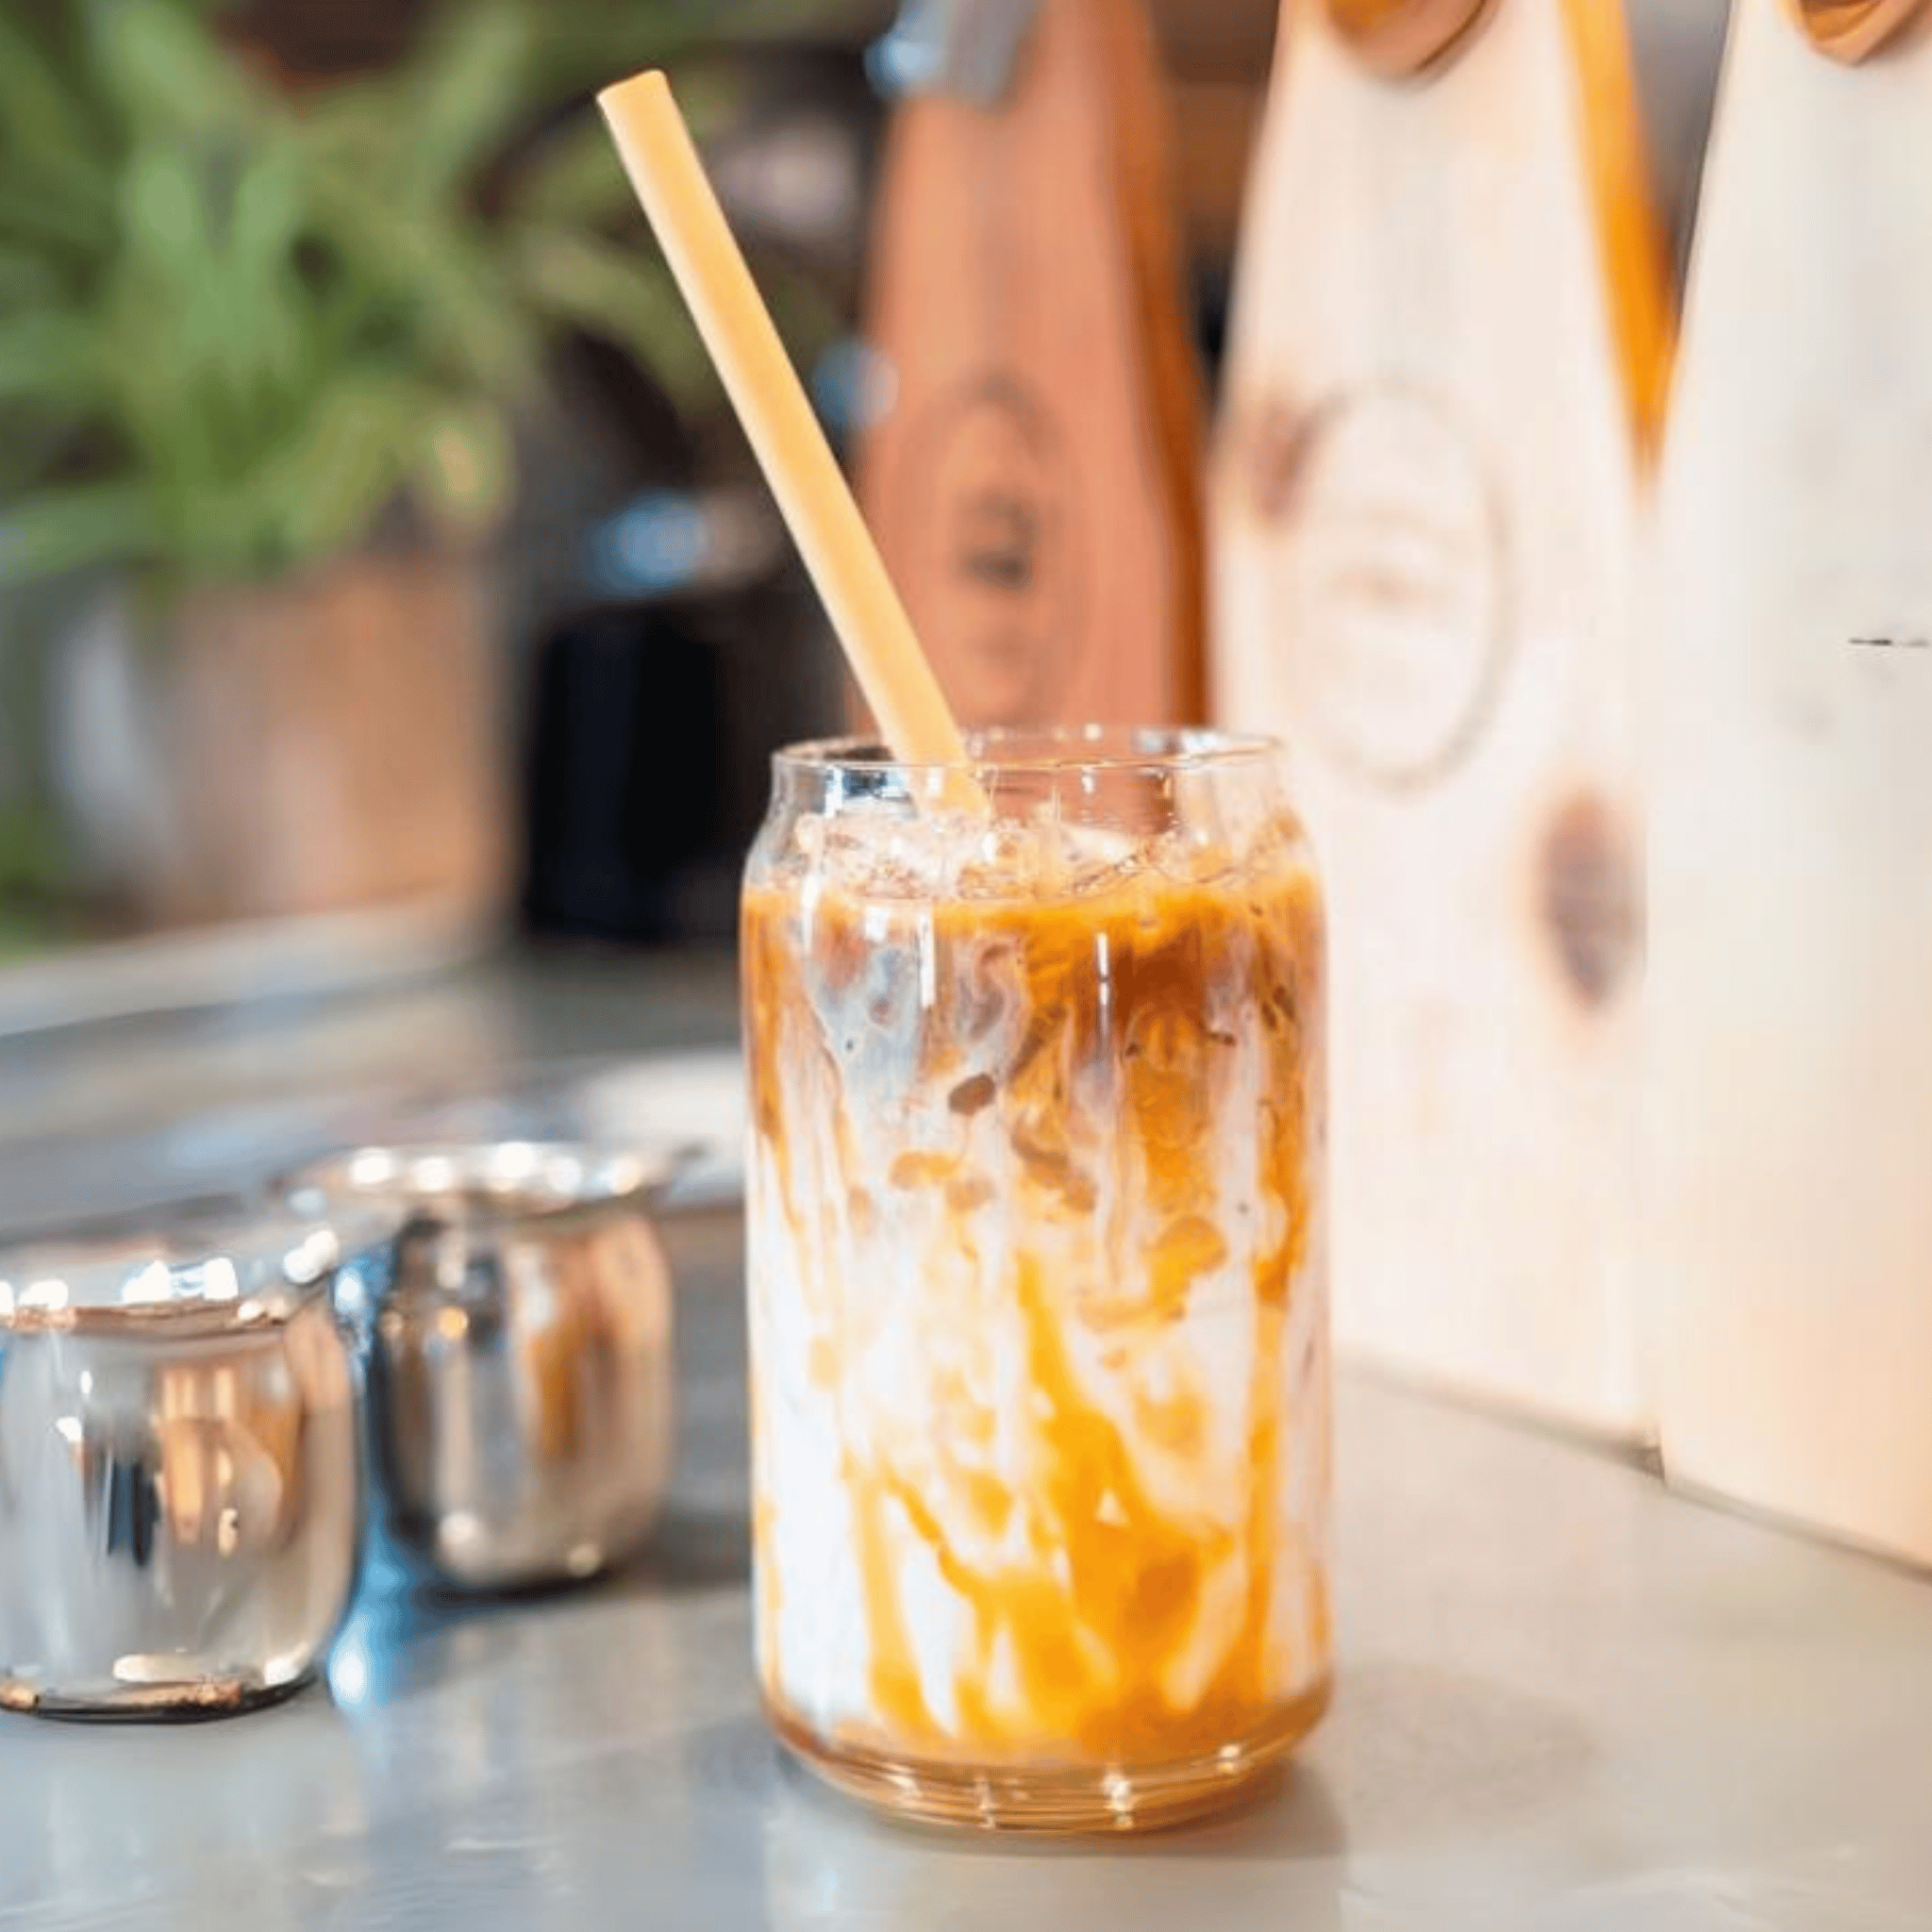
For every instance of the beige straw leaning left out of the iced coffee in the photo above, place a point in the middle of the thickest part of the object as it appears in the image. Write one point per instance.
(799, 465)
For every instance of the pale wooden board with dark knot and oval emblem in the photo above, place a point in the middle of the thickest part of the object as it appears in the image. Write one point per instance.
(1448, 355)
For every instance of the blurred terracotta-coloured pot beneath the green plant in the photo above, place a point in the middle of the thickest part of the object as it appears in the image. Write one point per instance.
(333, 743)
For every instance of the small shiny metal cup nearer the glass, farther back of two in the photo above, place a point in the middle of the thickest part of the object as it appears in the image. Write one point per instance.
(519, 1346)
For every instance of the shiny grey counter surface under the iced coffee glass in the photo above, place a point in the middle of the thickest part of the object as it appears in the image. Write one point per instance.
(1568, 1703)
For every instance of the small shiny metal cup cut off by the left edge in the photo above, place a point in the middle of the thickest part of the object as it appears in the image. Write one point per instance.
(181, 1465)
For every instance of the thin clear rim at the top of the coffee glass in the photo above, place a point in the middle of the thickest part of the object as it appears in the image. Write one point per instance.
(1046, 749)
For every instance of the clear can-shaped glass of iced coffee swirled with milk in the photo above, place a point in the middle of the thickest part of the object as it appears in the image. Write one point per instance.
(1037, 1274)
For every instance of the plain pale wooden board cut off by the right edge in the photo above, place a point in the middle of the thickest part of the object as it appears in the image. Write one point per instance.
(1790, 720)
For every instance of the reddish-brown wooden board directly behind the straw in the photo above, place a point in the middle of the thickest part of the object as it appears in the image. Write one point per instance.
(1035, 484)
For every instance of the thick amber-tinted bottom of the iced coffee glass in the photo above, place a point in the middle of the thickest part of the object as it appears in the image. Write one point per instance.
(1054, 1800)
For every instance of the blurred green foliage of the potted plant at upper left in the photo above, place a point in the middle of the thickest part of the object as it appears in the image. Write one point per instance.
(283, 316)
